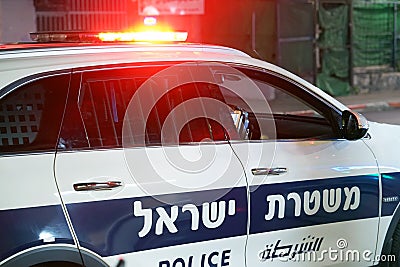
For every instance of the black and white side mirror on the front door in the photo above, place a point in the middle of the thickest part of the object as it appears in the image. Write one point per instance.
(354, 125)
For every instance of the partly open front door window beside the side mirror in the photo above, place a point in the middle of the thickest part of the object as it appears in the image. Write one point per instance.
(277, 108)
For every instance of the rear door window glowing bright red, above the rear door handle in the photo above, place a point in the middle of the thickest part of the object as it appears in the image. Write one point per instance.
(171, 112)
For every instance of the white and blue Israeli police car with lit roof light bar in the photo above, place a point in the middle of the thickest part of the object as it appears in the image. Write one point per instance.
(180, 155)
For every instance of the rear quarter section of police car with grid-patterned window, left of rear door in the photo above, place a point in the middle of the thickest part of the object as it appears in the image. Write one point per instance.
(33, 226)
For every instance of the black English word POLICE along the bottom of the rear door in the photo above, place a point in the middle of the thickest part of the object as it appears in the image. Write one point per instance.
(214, 259)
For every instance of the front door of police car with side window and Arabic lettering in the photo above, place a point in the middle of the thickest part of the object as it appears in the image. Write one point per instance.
(314, 196)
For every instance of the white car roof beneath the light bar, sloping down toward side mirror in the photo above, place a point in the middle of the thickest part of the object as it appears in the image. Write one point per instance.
(22, 60)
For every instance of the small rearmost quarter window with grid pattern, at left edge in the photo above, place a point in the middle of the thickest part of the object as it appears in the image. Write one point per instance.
(30, 116)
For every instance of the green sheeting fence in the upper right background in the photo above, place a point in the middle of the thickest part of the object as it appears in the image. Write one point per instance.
(357, 35)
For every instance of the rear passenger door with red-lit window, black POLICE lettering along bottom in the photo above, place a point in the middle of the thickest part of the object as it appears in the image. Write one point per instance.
(143, 172)
